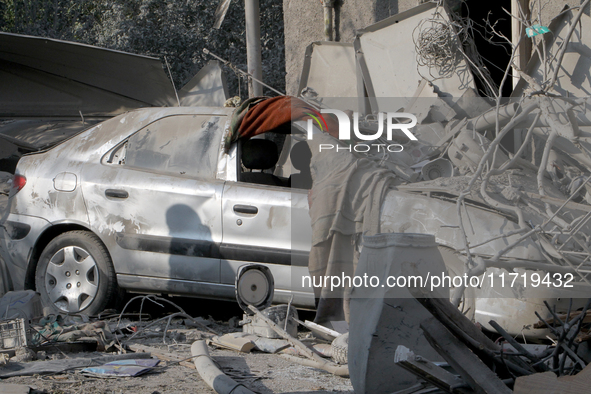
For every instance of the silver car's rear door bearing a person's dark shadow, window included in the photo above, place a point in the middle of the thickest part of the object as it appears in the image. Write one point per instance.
(155, 202)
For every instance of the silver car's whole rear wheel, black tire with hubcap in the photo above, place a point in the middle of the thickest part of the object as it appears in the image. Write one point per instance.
(75, 274)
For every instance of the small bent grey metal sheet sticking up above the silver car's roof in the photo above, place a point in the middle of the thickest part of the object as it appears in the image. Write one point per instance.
(206, 89)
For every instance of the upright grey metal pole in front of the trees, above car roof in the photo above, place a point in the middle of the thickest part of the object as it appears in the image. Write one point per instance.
(253, 46)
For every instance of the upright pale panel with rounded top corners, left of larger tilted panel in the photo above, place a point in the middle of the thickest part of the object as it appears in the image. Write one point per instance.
(330, 69)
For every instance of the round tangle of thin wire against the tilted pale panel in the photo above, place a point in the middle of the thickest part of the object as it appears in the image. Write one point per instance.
(437, 47)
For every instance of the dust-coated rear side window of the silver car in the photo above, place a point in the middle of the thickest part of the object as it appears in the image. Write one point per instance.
(181, 144)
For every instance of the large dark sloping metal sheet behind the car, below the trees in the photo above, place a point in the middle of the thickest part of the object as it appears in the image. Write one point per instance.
(129, 76)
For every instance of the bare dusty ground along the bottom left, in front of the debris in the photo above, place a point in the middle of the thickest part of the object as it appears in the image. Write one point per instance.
(273, 374)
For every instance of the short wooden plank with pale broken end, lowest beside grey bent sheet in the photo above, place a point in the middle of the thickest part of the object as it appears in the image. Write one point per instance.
(430, 372)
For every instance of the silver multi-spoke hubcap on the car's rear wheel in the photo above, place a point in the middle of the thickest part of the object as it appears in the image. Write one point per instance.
(72, 279)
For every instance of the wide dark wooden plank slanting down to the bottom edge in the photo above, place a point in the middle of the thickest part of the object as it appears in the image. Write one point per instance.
(462, 360)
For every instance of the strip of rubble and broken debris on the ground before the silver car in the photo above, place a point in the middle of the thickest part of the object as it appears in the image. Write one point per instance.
(76, 350)
